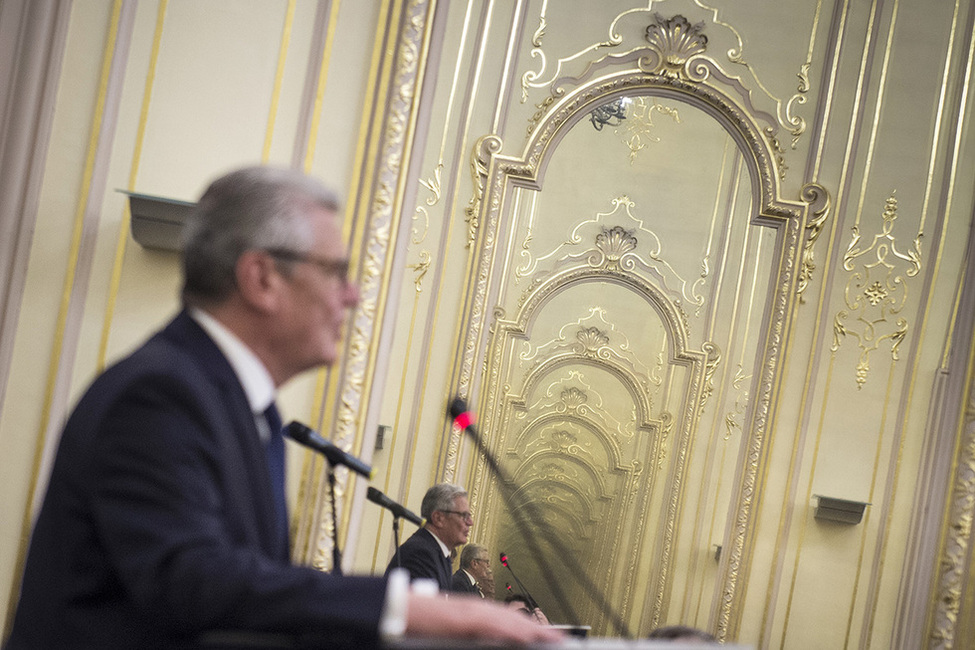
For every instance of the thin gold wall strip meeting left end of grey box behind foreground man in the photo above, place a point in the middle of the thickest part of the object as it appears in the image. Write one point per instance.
(123, 234)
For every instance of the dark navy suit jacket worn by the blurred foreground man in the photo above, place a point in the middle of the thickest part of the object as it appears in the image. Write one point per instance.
(158, 522)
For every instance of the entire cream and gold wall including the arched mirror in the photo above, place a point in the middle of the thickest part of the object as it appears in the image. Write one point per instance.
(679, 330)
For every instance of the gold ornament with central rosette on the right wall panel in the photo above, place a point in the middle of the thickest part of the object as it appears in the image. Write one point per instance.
(876, 291)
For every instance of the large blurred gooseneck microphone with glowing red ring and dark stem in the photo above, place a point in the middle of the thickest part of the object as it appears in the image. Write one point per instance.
(527, 512)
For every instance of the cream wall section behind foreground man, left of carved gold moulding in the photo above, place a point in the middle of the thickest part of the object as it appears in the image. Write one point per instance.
(191, 95)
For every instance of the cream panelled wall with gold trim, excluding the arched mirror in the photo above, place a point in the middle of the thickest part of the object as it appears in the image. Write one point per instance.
(195, 89)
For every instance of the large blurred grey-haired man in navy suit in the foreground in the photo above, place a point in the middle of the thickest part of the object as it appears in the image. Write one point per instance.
(165, 517)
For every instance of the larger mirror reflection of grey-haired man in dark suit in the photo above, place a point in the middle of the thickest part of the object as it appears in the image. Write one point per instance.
(427, 552)
